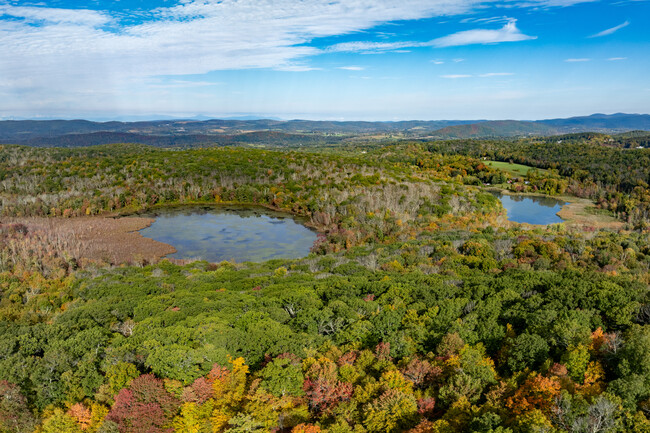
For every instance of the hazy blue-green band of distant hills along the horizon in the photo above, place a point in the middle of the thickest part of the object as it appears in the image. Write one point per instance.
(71, 133)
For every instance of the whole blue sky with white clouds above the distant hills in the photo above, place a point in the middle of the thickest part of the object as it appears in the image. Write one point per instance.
(323, 59)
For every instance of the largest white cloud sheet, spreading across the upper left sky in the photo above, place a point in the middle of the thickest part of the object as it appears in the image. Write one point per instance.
(70, 57)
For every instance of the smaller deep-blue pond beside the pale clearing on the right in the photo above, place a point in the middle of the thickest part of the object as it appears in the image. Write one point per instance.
(531, 210)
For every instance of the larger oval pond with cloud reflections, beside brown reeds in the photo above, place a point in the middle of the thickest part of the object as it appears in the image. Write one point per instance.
(239, 233)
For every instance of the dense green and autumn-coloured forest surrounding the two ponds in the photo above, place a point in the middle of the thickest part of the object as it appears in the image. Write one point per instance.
(420, 308)
